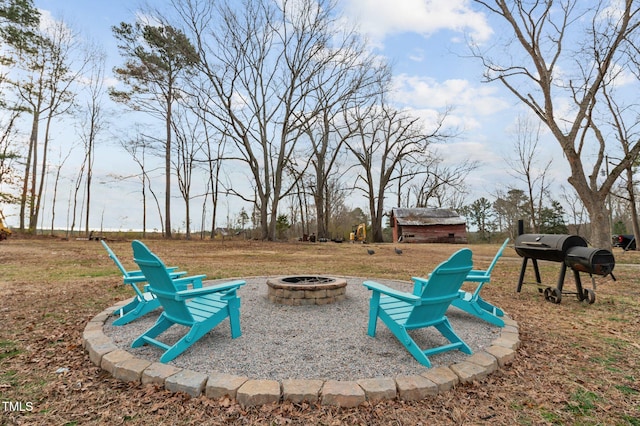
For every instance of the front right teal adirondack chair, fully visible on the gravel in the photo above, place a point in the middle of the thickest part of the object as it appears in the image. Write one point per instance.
(426, 307)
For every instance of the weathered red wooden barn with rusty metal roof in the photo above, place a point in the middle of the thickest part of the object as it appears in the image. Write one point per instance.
(423, 225)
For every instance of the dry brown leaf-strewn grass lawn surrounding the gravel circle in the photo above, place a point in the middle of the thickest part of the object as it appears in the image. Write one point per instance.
(578, 364)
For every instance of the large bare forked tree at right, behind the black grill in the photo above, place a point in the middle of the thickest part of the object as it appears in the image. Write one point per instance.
(543, 70)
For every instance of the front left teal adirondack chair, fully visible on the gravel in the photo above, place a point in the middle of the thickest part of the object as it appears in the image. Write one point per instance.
(199, 309)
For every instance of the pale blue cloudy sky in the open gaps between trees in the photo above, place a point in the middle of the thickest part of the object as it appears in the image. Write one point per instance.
(423, 39)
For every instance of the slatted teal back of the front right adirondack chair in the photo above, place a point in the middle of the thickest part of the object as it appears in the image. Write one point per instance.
(441, 288)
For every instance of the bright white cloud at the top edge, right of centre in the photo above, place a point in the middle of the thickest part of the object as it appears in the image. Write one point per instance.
(379, 18)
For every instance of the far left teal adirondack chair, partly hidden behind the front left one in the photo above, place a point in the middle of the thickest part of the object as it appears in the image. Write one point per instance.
(144, 301)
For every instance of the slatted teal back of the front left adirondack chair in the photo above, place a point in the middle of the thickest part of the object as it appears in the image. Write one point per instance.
(160, 282)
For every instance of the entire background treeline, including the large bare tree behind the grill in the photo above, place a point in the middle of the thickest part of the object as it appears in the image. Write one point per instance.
(284, 106)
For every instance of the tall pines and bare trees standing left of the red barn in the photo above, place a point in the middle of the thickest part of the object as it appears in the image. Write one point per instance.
(283, 94)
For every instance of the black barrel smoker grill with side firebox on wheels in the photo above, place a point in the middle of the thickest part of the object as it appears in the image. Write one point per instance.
(572, 252)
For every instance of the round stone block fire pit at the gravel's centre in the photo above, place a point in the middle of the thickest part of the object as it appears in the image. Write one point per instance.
(306, 290)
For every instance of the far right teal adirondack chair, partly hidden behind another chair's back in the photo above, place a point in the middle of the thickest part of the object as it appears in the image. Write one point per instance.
(473, 303)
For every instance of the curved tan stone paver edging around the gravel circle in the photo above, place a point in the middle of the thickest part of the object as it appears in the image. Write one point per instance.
(250, 392)
